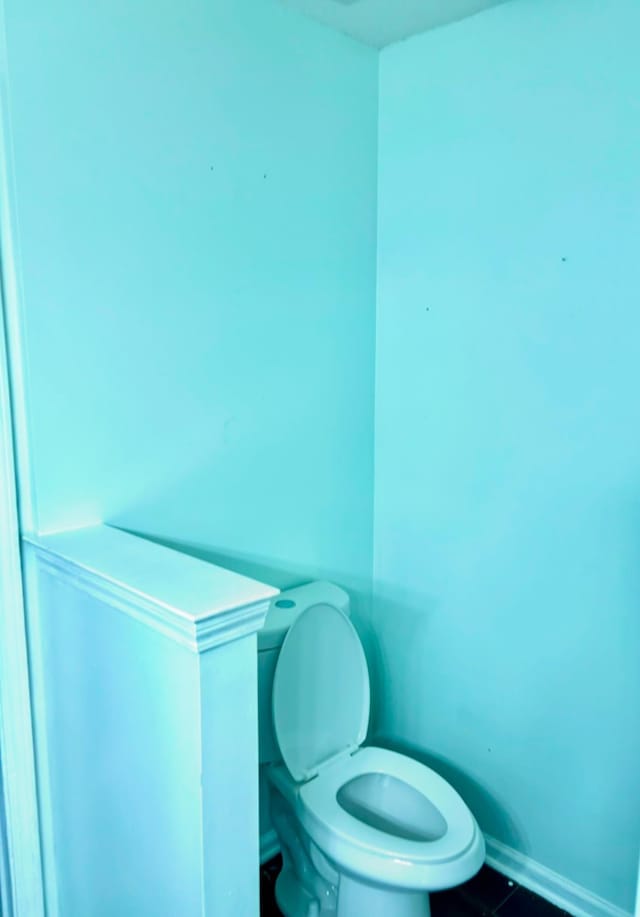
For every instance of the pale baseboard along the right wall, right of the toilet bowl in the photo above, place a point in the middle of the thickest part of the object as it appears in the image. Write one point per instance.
(549, 884)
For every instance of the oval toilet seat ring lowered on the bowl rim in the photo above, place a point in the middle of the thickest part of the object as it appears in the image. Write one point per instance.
(370, 852)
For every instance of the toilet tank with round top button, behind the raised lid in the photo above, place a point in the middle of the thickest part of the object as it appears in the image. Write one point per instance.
(283, 610)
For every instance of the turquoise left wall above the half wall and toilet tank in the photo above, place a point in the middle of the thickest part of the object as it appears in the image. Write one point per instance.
(195, 189)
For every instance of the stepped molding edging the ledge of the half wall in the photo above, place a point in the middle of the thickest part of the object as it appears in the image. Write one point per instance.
(197, 633)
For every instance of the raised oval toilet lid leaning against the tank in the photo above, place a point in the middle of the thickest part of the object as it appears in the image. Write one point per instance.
(320, 690)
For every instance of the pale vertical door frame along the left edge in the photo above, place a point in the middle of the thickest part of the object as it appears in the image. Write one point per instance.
(21, 879)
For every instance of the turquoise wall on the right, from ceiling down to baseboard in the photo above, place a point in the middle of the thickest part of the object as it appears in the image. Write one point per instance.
(507, 512)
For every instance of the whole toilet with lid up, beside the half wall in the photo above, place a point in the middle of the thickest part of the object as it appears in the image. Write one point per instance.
(363, 831)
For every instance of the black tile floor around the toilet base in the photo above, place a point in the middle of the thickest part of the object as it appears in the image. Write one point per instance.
(489, 894)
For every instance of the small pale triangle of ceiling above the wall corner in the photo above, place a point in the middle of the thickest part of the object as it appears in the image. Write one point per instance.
(380, 22)
